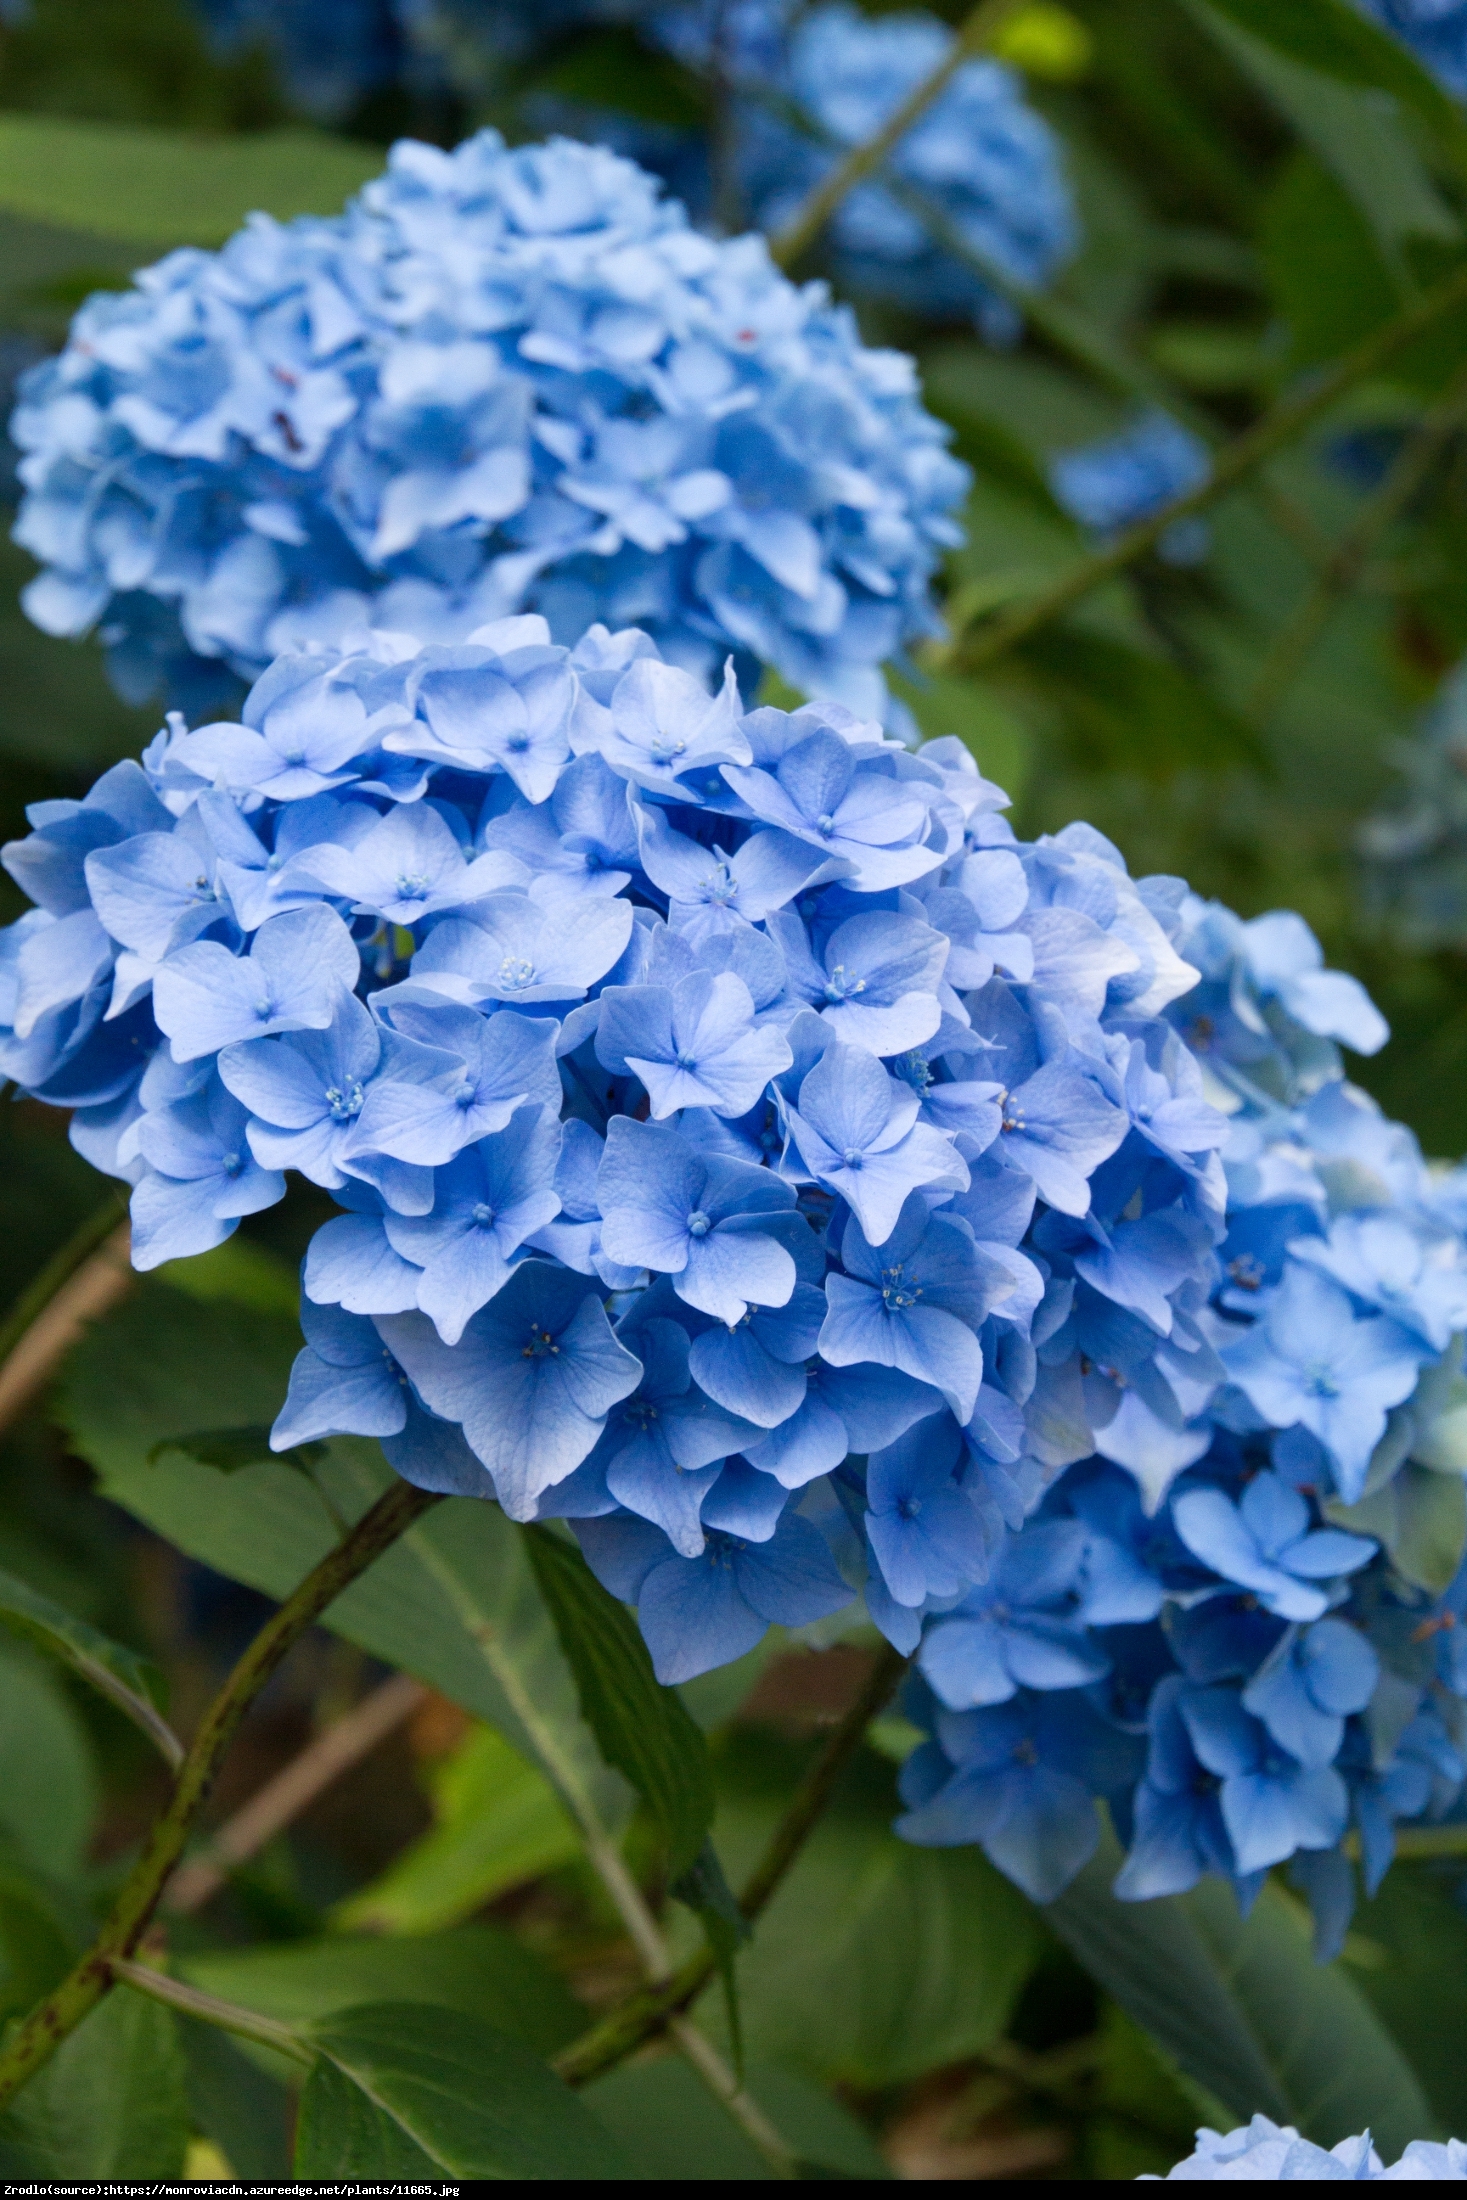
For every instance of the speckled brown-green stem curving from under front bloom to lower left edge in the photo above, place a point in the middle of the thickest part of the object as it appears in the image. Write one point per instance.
(60, 2014)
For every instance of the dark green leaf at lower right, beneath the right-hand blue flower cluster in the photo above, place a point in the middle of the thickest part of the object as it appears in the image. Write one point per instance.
(1242, 2005)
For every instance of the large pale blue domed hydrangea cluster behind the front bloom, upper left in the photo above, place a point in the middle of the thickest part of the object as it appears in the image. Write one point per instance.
(500, 382)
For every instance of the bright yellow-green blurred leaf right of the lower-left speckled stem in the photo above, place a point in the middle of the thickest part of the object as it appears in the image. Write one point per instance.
(498, 1825)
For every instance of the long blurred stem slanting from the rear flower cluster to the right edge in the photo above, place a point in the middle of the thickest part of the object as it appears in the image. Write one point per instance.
(1233, 465)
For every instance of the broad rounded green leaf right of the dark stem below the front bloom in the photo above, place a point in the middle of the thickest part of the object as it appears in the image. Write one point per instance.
(876, 1961)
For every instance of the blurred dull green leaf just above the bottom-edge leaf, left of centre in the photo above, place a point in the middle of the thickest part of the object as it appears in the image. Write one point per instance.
(474, 1970)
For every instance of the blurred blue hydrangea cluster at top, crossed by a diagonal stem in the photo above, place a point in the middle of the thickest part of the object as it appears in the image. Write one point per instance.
(978, 179)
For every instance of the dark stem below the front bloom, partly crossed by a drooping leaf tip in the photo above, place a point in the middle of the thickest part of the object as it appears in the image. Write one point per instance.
(650, 2012)
